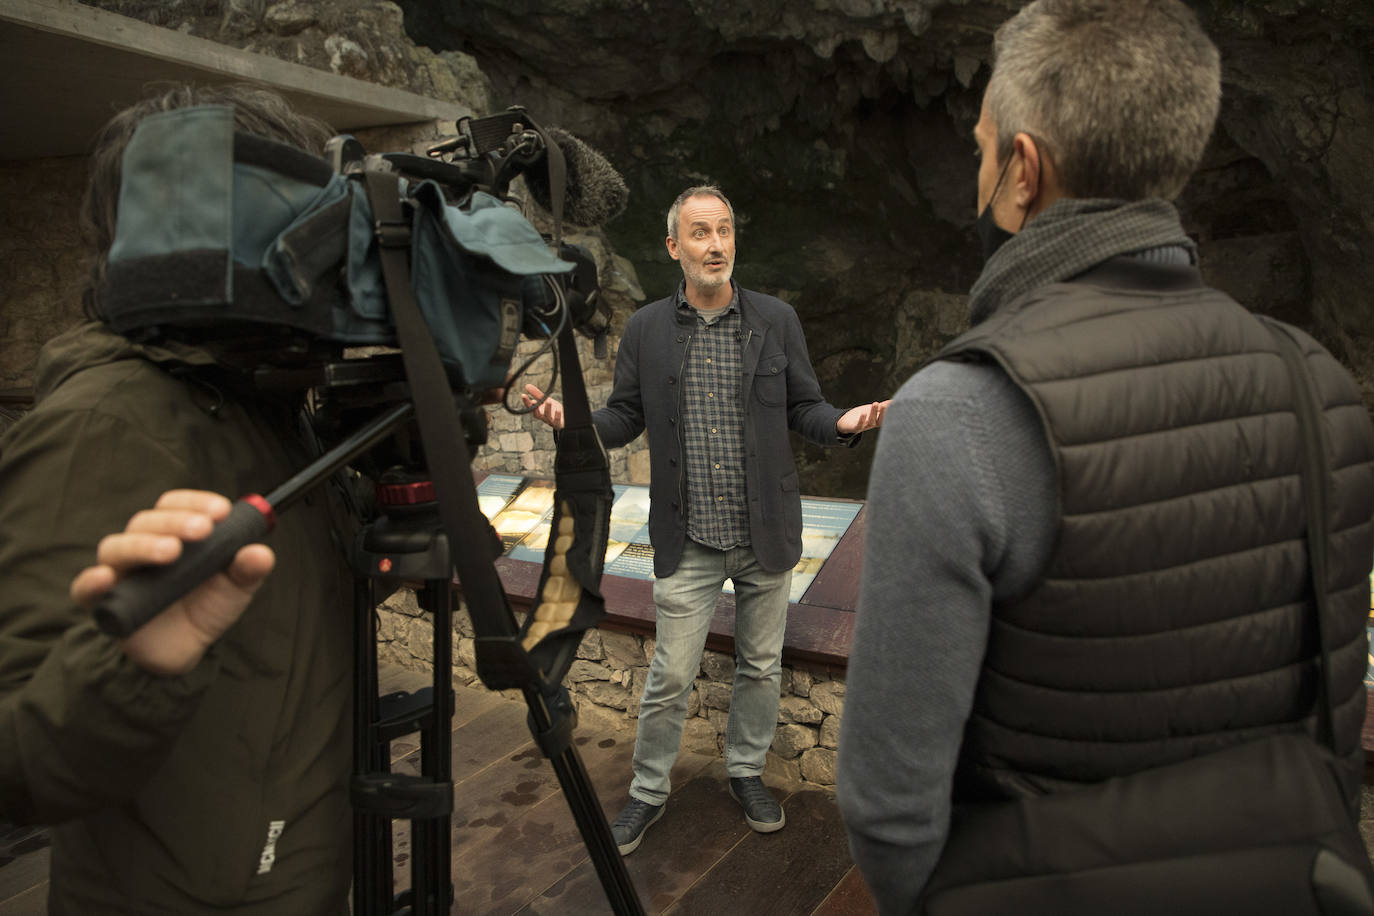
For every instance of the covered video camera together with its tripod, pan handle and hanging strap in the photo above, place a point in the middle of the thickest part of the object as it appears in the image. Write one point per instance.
(288, 266)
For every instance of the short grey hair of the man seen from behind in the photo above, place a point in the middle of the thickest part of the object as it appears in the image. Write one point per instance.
(1120, 94)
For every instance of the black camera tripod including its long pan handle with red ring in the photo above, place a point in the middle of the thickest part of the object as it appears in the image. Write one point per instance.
(407, 543)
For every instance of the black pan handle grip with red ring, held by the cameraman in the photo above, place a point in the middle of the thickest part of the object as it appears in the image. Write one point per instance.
(145, 593)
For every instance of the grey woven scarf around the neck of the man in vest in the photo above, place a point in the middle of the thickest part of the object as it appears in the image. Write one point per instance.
(1071, 237)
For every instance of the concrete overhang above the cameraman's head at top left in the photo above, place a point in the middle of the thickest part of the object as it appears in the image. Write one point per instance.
(68, 68)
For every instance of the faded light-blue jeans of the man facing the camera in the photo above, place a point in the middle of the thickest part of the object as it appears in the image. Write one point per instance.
(685, 605)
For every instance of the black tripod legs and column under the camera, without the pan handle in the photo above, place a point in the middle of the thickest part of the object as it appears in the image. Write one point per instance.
(409, 543)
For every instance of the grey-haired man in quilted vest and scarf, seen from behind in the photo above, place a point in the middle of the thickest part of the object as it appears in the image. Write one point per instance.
(1088, 556)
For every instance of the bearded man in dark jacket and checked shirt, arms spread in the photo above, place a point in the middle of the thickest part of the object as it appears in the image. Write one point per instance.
(717, 376)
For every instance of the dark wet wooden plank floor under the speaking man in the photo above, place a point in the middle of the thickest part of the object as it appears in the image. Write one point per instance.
(516, 848)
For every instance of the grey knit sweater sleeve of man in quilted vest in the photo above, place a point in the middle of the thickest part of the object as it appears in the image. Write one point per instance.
(961, 513)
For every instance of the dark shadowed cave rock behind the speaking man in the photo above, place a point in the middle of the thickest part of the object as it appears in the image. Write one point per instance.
(842, 131)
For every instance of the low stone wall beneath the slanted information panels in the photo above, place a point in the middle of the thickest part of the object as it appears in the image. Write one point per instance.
(608, 679)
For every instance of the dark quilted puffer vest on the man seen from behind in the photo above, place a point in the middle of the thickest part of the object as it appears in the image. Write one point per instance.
(1175, 615)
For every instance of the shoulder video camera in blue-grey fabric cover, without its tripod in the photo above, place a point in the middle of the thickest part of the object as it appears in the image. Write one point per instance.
(273, 251)
